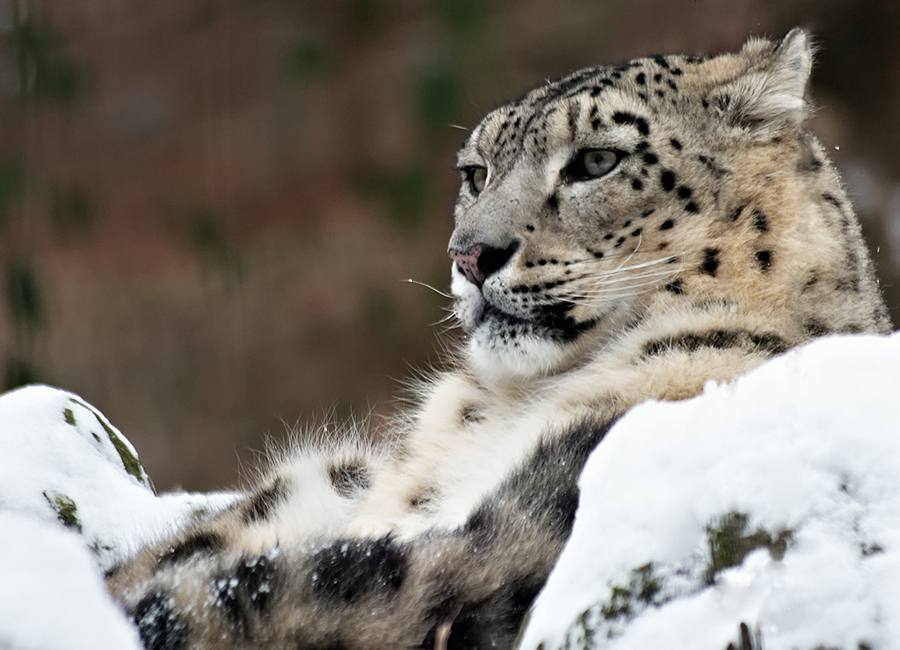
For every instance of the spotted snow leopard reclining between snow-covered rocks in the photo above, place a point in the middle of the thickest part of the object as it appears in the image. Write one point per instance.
(622, 234)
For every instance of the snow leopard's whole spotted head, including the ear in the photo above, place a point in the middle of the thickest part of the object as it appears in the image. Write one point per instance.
(597, 200)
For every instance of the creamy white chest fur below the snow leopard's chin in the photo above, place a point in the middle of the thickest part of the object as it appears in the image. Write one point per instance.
(465, 444)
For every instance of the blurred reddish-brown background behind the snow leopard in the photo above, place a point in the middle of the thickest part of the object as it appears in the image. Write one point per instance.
(208, 208)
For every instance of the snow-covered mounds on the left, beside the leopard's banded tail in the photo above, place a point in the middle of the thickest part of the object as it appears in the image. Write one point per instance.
(74, 501)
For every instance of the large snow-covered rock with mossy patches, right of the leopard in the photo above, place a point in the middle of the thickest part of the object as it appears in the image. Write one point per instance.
(806, 447)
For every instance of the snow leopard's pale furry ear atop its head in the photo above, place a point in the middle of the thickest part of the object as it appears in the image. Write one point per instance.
(768, 99)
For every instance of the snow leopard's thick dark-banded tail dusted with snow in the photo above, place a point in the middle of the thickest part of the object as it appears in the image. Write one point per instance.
(466, 588)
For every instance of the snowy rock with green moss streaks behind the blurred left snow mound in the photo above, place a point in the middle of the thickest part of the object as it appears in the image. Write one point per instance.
(61, 460)
